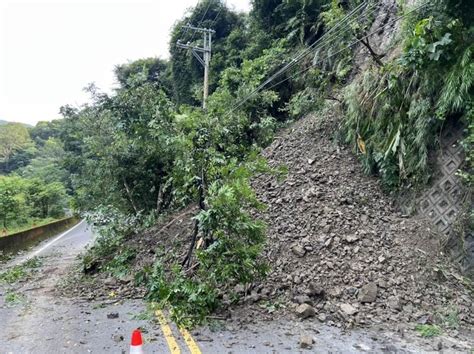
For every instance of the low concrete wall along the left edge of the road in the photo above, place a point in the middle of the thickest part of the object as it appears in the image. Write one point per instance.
(31, 237)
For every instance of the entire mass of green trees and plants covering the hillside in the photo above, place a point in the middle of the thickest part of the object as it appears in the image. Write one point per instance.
(149, 150)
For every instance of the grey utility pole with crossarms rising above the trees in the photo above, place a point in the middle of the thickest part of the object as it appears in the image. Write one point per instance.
(205, 59)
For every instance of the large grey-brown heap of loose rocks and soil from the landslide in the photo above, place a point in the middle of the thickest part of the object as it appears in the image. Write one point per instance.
(337, 243)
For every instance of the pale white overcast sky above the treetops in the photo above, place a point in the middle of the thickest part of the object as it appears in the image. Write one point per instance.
(50, 50)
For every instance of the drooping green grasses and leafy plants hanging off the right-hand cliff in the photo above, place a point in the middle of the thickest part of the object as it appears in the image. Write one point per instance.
(398, 110)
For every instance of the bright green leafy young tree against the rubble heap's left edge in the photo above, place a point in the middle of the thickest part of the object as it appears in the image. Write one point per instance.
(237, 237)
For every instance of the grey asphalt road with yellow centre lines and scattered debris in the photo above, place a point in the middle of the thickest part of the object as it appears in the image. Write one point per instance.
(39, 321)
